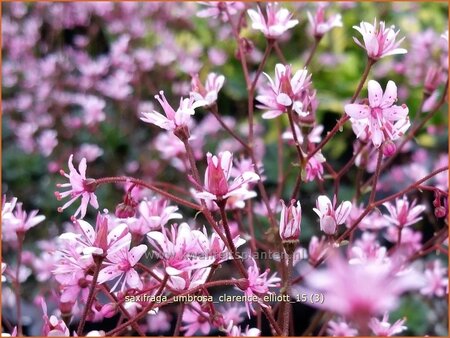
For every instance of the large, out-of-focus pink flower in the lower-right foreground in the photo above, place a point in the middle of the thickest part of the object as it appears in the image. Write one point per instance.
(353, 291)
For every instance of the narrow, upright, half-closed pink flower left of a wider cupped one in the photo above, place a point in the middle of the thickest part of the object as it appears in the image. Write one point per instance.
(290, 221)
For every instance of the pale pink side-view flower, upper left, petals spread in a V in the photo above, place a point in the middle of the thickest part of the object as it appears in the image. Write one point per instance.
(173, 119)
